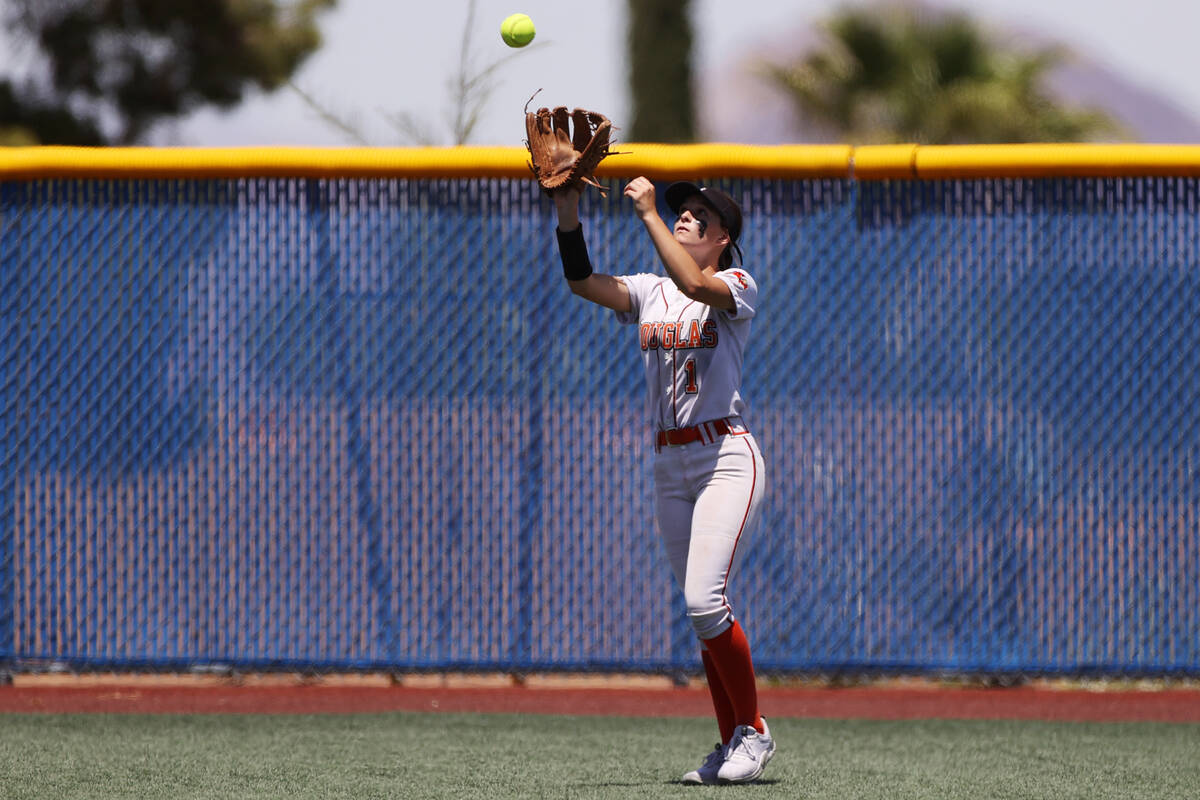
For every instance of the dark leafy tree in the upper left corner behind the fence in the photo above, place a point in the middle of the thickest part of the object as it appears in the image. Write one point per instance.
(106, 71)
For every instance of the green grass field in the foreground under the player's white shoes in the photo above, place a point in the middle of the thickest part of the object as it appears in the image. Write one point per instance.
(491, 756)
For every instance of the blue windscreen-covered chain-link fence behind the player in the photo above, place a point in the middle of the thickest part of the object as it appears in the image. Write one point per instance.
(363, 424)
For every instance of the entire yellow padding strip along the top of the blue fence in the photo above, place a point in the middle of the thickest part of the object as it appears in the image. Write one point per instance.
(657, 161)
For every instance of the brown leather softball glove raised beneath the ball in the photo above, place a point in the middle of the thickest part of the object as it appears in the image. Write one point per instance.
(566, 148)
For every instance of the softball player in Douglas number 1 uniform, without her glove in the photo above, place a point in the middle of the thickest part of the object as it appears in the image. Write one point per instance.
(709, 471)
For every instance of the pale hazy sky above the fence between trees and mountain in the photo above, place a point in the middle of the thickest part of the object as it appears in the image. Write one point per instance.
(386, 58)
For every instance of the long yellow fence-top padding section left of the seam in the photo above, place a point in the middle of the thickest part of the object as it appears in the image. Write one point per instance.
(658, 161)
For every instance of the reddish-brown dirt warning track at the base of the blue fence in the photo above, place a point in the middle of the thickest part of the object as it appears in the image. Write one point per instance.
(867, 703)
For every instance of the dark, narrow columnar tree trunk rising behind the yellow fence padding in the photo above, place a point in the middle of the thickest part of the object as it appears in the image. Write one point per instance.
(661, 39)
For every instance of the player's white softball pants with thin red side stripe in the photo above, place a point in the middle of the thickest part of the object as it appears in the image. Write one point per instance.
(707, 502)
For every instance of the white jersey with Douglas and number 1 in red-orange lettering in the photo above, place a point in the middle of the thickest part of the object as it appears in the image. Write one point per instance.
(692, 352)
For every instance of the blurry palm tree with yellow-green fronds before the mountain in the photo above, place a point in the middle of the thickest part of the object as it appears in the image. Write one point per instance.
(891, 74)
